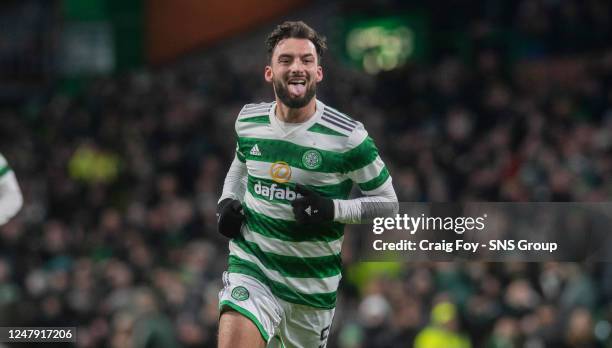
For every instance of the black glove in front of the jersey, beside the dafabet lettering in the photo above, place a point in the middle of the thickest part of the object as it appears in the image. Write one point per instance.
(312, 208)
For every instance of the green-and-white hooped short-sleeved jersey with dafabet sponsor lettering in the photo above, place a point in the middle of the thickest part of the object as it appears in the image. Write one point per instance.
(328, 154)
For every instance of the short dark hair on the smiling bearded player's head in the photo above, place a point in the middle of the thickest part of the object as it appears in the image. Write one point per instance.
(296, 30)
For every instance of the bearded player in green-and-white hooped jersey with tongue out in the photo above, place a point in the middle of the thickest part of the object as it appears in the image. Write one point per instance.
(285, 202)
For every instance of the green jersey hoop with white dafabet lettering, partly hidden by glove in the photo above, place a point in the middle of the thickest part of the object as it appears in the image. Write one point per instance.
(263, 189)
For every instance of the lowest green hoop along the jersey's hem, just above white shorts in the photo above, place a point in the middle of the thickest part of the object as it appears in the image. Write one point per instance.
(322, 301)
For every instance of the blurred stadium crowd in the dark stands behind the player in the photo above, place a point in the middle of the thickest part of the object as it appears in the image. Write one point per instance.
(121, 181)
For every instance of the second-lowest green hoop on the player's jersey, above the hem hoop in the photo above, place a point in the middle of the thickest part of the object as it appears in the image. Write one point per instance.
(292, 266)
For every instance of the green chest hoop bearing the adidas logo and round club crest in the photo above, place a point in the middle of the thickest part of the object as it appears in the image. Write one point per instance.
(332, 162)
